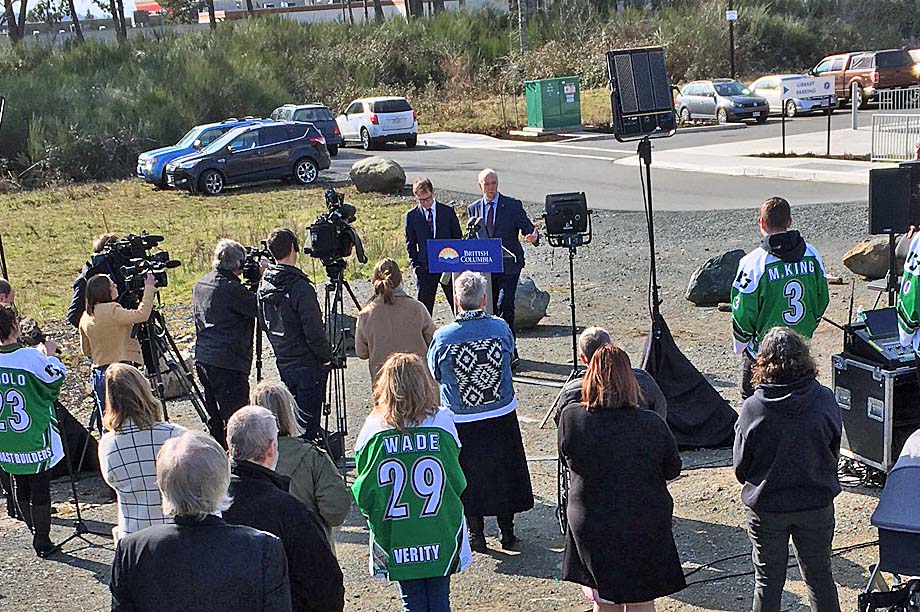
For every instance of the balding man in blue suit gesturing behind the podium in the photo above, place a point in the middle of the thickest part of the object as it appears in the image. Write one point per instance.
(503, 218)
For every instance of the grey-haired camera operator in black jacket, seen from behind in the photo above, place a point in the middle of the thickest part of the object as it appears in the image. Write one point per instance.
(225, 314)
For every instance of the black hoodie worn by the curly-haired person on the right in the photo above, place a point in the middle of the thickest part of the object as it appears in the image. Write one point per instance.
(787, 443)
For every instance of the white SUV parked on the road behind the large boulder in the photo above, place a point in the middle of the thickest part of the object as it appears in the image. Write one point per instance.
(373, 121)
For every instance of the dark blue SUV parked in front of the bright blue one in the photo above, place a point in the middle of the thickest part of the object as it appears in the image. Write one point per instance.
(286, 150)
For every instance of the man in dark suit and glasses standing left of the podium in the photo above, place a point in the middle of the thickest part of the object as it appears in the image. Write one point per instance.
(428, 220)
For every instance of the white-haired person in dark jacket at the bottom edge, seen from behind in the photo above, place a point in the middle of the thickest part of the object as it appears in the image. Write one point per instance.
(198, 562)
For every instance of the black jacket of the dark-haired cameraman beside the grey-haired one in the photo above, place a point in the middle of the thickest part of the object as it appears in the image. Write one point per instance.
(289, 313)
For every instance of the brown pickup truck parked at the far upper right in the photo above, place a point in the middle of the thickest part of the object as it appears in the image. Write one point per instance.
(871, 70)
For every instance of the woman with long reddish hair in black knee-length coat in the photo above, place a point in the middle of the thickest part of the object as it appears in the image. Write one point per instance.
(619, 545)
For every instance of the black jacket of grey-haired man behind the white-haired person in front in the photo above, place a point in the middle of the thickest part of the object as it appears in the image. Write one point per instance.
(261, 501)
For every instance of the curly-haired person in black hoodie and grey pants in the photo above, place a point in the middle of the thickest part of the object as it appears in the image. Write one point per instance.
(787, 444)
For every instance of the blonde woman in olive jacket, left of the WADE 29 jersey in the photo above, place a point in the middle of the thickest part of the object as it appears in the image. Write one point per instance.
(315, 479)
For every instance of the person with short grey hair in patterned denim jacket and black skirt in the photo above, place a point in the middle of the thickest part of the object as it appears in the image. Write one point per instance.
(471, 360)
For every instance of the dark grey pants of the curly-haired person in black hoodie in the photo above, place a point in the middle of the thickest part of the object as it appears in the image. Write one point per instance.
(812, 532)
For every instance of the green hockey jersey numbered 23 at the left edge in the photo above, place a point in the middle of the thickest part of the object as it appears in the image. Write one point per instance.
(30, 441)
